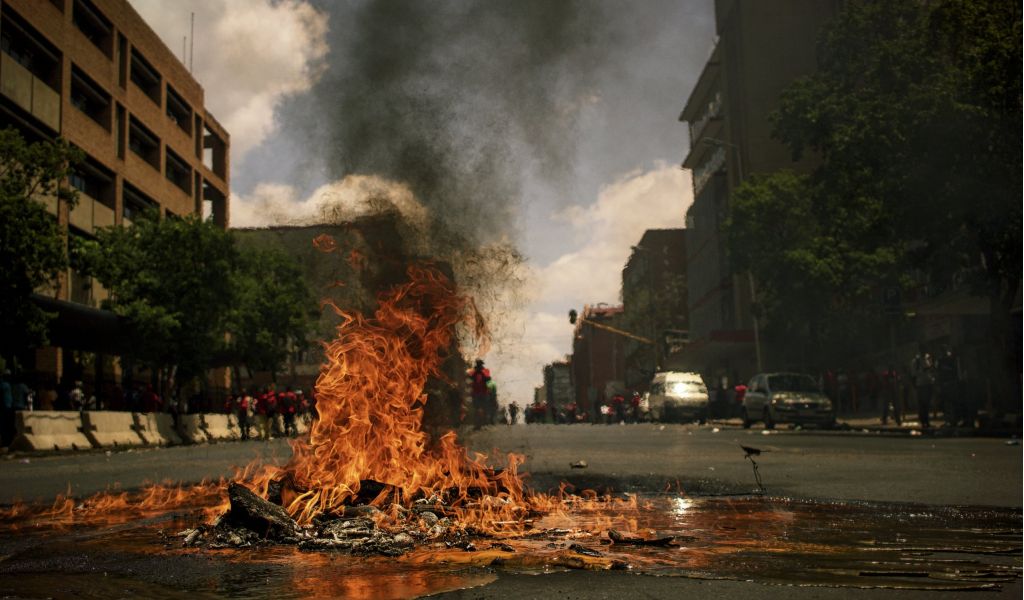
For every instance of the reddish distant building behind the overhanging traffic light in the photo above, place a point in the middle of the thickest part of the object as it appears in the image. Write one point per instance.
(599, 358)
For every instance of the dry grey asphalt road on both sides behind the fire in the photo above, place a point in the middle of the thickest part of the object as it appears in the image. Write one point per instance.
(701, 460)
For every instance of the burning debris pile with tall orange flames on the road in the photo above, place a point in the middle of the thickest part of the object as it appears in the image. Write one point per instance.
(369, 479)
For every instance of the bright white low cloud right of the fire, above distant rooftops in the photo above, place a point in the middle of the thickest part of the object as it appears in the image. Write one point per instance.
(604, 234)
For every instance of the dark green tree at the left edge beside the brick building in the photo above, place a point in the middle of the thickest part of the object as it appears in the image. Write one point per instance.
(33, 248)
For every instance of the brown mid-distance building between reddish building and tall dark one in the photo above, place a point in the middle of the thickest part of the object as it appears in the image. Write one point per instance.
(655, 303)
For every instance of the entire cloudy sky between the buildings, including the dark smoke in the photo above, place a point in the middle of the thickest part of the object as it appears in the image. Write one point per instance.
(551, 127)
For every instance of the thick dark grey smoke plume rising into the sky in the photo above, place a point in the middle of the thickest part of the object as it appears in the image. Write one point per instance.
(458, 101)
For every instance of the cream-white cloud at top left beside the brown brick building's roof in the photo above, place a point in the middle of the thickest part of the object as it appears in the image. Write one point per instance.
(249, 55)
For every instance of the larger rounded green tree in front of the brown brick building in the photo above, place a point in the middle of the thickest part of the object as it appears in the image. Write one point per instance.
(173, 279)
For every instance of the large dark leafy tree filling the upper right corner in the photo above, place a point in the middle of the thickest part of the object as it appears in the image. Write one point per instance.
(914, 118)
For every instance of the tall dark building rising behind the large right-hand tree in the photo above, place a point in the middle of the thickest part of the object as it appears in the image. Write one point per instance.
(762, 47)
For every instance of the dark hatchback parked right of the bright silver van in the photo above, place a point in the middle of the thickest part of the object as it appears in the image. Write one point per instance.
(787, 398)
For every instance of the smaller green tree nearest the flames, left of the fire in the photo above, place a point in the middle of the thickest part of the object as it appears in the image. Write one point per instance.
(274, 313)
